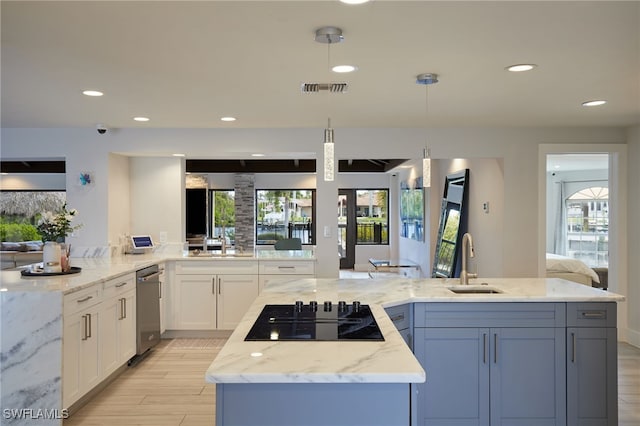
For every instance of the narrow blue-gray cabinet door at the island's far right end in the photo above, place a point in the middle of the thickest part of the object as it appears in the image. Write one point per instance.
(592, 376)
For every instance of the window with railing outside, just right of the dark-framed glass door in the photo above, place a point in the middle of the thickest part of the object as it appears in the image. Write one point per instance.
(372, 219)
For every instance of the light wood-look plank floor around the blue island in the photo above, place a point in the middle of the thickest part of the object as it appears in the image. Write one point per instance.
(168, 389)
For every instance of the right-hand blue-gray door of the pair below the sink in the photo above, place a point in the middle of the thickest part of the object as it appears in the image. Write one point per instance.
(527, 376)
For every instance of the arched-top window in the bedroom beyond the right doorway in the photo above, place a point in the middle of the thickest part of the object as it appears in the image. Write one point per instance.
(588, 226)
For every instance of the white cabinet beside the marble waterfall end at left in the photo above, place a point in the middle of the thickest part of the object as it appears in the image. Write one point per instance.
(81, 344)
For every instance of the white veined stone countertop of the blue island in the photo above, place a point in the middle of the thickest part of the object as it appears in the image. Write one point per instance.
(390, 361)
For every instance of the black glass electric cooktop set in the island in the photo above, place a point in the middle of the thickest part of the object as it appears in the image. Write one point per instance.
(322, 322)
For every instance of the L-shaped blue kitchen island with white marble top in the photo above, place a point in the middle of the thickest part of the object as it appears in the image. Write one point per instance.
(262, 382)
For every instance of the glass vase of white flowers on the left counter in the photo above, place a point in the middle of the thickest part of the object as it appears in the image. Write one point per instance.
(53, 227)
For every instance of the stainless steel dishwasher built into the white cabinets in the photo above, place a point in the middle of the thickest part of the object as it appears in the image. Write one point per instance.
(147, 308)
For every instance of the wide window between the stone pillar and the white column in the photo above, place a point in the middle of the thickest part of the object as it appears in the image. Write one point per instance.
(284, 214)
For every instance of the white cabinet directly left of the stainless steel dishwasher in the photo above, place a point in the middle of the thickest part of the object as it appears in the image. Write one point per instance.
(118, 323)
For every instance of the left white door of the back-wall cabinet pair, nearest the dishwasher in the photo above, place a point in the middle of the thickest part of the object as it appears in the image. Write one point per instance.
(195, 304)
